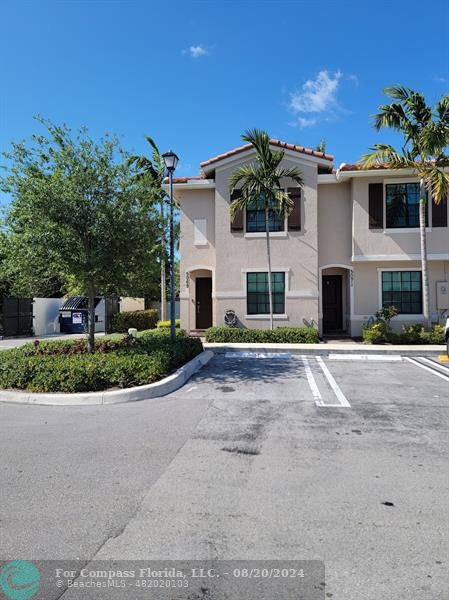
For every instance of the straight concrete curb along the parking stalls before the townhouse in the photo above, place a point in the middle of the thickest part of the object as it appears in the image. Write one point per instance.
(325, 349)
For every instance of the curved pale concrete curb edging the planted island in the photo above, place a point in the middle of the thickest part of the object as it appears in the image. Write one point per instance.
(143, 392)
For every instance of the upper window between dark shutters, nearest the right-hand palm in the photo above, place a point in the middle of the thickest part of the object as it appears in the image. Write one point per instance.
(402, 205)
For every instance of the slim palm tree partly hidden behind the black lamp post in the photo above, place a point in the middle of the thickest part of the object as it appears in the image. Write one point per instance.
(152, 170)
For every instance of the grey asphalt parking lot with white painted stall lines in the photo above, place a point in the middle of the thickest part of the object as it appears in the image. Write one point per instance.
(286, 457)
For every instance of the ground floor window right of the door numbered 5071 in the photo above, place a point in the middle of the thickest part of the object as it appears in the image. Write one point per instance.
(402, 289)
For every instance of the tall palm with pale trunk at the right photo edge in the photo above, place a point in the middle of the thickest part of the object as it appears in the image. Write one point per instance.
(426, 137)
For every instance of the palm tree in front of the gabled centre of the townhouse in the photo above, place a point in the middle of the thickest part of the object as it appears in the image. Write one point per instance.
(262, 181)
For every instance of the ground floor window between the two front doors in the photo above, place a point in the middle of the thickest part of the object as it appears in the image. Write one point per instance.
(257, 293)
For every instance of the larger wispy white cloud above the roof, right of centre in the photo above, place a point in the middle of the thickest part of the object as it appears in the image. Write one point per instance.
(316, 95)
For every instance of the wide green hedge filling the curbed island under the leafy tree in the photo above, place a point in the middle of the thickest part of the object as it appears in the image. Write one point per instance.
(148, 359)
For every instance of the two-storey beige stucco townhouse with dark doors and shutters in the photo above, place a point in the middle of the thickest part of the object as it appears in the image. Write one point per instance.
(349, 247)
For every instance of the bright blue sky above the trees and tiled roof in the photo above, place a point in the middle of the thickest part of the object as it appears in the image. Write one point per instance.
(195, 75)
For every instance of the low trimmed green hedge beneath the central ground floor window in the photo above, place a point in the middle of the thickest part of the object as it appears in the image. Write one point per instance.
(280, 335)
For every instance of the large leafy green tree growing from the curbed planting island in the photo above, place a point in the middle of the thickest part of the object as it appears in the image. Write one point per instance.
(77, 213)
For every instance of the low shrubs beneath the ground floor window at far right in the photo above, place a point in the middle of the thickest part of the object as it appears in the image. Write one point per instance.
(377, 333)
